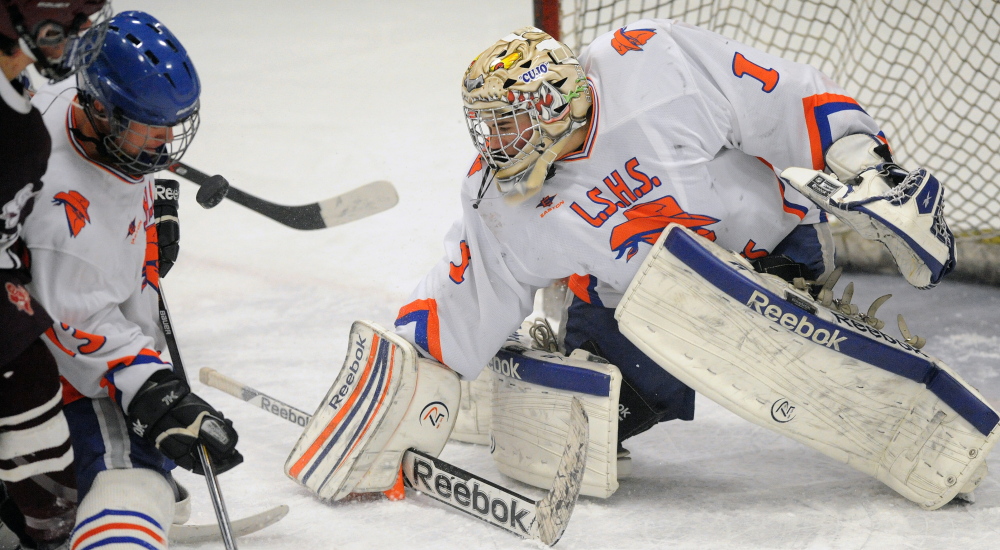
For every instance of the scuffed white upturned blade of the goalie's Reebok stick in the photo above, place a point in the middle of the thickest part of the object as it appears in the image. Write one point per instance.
(556, 508)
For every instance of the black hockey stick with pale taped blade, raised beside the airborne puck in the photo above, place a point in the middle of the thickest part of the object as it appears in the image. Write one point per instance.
(358, 203)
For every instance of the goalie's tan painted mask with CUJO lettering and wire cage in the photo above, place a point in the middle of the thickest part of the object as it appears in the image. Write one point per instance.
(524, 97)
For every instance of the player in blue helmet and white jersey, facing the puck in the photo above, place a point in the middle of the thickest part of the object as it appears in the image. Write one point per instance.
(95, 248)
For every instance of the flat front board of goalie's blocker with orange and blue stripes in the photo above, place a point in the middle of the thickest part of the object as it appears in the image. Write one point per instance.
(359, 414)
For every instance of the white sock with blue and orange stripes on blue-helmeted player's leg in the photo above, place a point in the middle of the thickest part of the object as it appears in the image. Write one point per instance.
(124, 510)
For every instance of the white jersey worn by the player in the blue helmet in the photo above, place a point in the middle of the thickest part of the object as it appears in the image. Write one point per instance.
(94, 263)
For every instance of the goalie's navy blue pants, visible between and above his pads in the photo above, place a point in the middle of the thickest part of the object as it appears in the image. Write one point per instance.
(649, 394)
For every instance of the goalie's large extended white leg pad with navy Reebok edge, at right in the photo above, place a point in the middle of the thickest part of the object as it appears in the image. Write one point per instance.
(776, 357)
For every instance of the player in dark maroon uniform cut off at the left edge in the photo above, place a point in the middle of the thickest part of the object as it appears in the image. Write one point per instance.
(35, 454)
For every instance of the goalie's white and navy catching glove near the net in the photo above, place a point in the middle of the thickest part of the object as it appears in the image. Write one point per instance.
(908, 219)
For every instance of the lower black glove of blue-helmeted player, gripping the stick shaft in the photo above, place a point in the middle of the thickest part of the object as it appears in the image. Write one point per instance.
(167, 414)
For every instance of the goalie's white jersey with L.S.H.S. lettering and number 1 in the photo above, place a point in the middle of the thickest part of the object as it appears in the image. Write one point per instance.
(688, 127)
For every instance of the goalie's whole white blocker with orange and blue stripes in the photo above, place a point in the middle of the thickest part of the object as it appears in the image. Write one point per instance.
(385, 400)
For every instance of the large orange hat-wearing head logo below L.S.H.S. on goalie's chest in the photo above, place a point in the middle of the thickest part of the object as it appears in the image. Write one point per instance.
(646, 221)
